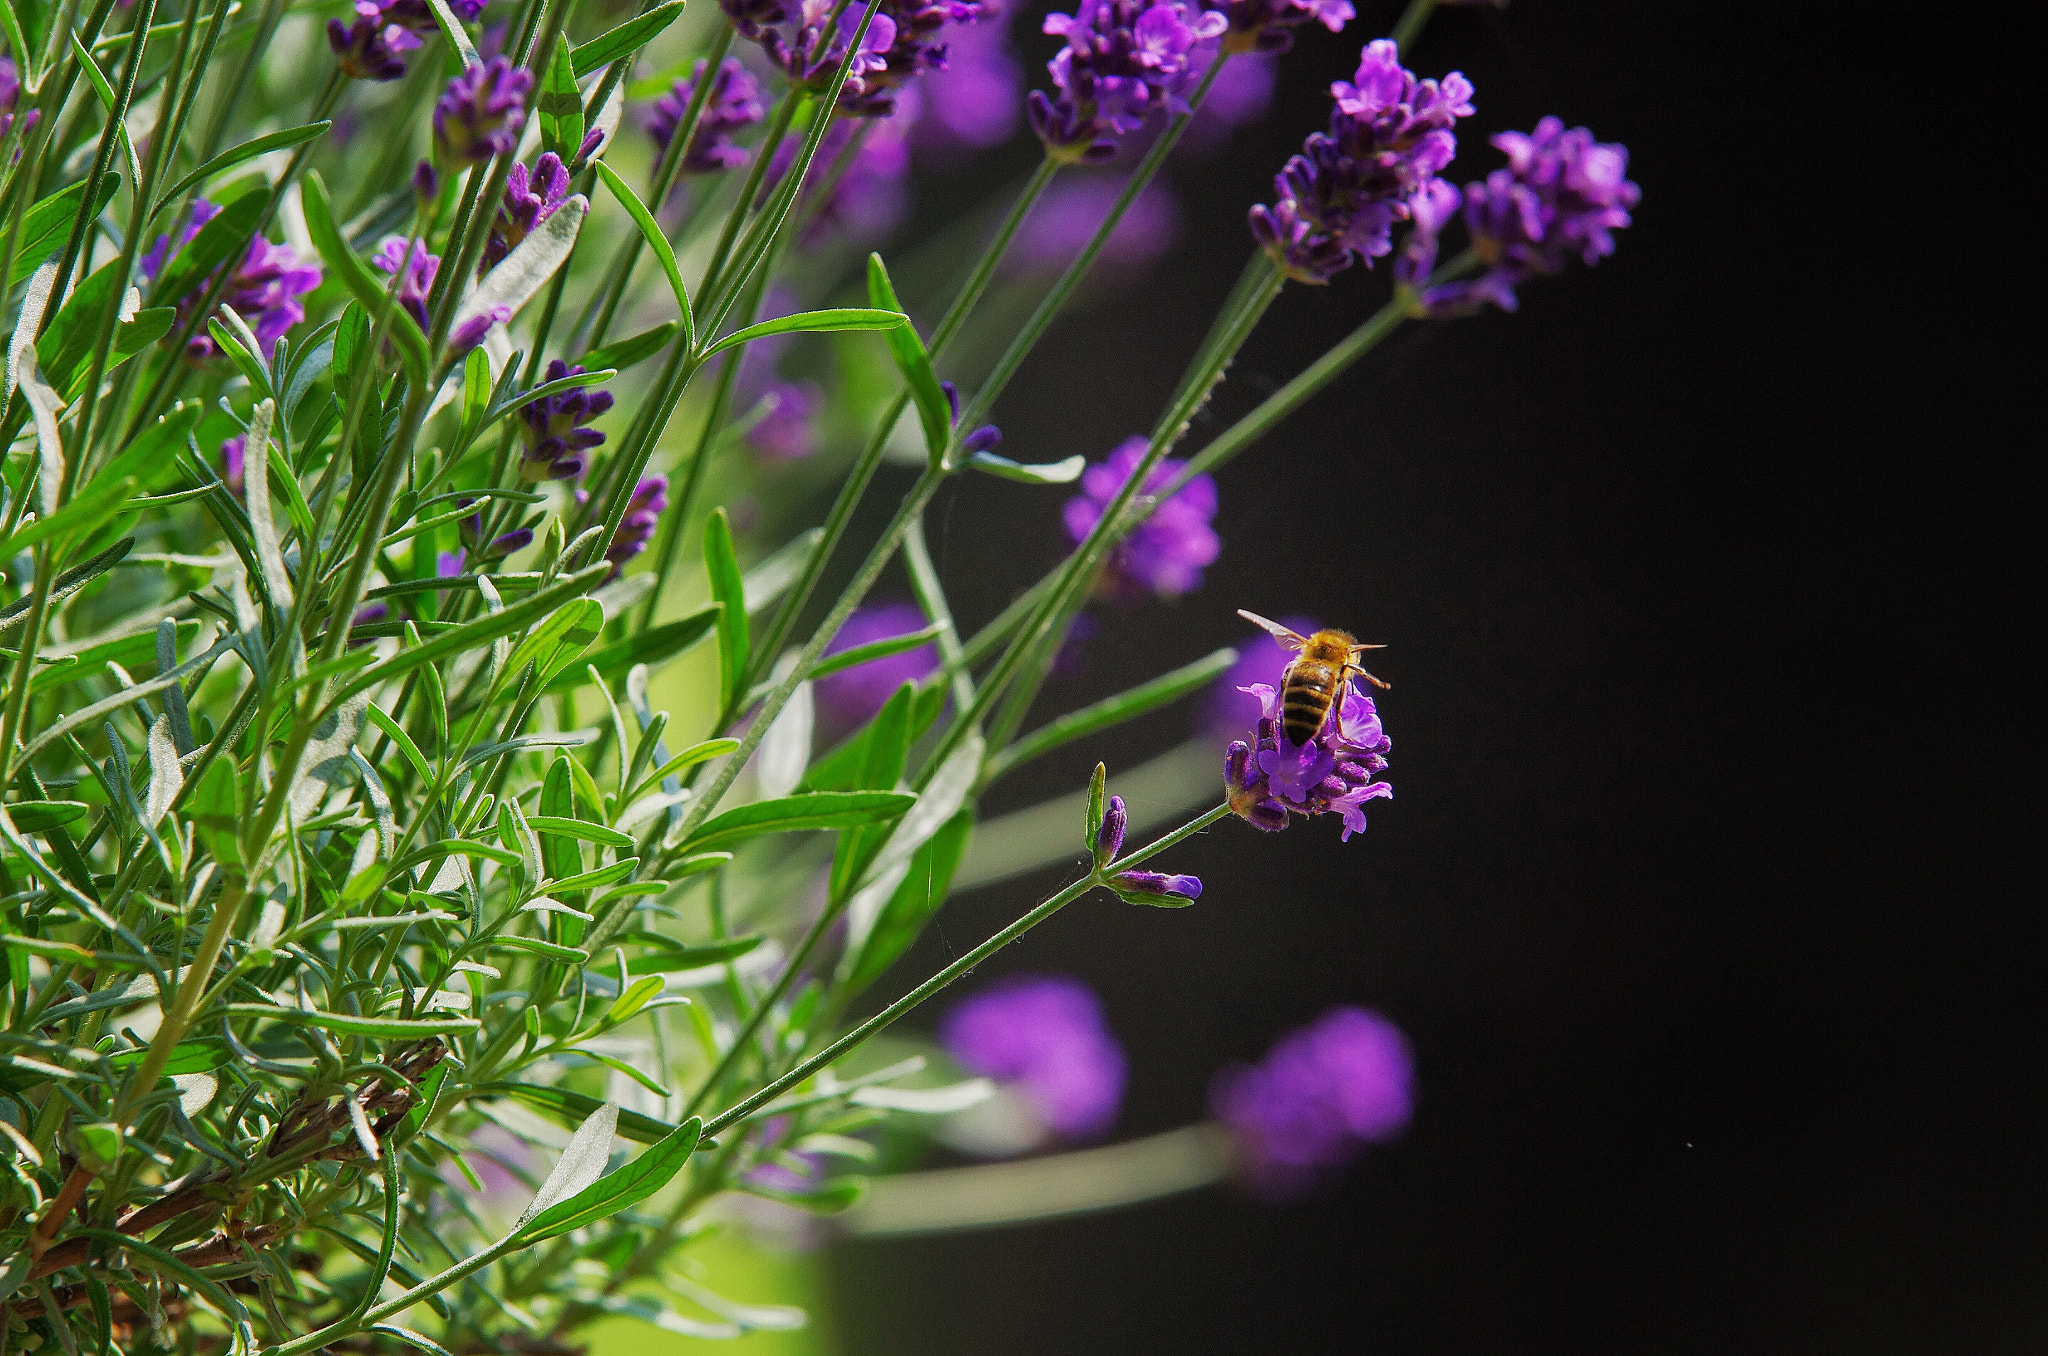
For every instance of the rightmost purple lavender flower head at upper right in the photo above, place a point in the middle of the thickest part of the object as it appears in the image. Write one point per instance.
(1562, 198)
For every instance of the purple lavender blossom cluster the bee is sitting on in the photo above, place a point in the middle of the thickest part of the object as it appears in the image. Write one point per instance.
(1330, 775)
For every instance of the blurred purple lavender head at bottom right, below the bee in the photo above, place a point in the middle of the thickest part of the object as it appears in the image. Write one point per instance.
(1314, 1105)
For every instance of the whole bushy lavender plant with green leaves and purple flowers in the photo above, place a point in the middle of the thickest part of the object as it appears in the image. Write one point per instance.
(443, 843)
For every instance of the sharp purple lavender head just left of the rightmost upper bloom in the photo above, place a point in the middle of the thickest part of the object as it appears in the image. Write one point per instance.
(1340, 198)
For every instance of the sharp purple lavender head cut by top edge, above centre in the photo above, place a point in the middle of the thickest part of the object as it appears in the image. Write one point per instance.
(1123, 60)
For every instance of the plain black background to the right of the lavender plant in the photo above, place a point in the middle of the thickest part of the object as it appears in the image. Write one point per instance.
(1699, 896)
